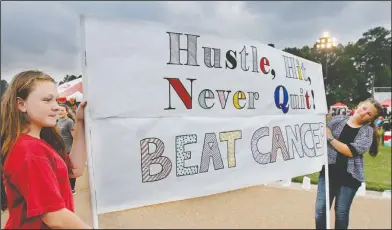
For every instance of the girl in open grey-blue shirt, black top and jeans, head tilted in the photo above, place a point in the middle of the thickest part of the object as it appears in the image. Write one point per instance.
(348, 139)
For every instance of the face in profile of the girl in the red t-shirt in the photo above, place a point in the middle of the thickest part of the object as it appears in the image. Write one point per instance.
(41, 105)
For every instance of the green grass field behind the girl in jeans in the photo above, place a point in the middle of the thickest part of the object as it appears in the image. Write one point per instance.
(377, 171)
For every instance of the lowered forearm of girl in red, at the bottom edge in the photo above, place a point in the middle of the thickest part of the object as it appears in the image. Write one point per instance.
(64, 219)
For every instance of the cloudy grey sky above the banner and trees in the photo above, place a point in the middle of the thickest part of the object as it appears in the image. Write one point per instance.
(44, 35)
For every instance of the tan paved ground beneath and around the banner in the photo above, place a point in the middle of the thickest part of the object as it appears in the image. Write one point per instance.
(255, 207)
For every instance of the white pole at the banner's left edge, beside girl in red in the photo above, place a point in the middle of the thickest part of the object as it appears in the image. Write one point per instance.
(93, 201)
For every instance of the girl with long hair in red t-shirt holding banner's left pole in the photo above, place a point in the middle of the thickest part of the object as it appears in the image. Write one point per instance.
(35, 167)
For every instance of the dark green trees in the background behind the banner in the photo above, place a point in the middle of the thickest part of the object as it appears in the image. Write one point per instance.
(353, 69)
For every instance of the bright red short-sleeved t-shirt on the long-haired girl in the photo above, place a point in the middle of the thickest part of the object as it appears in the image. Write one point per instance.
(36, 182)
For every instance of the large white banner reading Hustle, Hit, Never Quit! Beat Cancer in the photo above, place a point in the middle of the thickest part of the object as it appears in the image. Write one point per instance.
(176, 114)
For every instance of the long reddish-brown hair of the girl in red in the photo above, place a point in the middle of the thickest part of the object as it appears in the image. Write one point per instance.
(13, 121)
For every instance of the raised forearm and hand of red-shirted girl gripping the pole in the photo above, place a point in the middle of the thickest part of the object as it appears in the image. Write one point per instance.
(78, 152)
